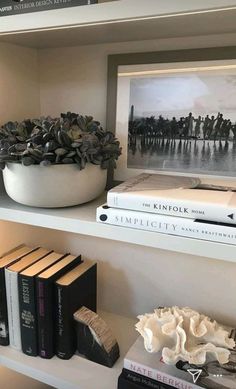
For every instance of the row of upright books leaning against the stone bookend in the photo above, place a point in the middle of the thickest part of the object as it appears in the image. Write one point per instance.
(40, 290)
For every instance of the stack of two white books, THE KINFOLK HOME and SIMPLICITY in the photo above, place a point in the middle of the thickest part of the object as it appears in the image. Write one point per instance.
(174, 205)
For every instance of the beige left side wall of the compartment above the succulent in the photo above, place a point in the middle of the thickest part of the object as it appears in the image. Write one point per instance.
(19, 83)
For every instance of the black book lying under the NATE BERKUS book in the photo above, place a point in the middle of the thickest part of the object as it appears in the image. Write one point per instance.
(141, 381)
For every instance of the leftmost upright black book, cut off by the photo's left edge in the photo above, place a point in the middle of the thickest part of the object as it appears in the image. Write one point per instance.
(6, 260)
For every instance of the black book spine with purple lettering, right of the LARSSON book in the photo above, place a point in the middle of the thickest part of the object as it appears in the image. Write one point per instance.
(45, 318)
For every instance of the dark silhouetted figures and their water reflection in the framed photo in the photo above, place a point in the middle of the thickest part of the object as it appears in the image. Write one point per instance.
(191, 142)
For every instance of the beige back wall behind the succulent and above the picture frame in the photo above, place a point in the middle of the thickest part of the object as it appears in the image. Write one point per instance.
(76, 78)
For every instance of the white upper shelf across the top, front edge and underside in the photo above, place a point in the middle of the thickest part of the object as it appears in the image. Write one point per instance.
(123, 20)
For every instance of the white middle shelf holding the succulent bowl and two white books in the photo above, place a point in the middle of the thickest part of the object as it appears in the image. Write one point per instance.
(82, 220)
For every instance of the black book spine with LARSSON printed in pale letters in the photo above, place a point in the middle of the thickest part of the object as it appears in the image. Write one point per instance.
(28, 319)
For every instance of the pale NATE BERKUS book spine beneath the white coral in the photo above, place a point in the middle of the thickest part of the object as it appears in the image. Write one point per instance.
(158, 375)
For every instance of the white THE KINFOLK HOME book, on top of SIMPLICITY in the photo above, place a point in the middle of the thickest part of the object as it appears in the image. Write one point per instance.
(176, 196)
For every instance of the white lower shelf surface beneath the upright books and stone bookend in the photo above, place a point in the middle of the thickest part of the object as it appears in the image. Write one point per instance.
(78, 372)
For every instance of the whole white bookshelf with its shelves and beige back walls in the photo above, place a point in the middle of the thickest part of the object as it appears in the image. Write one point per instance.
(142, 259)
